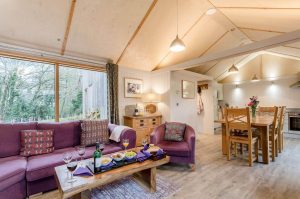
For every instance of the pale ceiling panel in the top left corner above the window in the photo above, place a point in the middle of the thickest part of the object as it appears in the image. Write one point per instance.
(36, 24)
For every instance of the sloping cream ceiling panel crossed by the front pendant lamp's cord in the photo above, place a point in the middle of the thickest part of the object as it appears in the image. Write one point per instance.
(152, 42)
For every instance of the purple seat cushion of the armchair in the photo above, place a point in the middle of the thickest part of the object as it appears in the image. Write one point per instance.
(175, 148)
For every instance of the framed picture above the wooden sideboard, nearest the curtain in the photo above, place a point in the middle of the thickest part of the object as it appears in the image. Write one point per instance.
(133, 88)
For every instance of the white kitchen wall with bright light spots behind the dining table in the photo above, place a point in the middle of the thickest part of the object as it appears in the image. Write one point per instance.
(268, 94)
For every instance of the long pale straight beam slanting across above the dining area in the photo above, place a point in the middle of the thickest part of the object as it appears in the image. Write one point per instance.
(238, 51)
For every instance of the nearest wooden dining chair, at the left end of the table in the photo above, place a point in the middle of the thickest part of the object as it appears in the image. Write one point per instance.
(238, 120)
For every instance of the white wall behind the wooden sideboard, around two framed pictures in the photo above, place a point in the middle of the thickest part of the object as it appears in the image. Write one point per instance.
(168, 84)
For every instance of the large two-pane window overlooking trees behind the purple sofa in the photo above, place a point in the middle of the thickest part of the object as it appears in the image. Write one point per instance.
(27, 92)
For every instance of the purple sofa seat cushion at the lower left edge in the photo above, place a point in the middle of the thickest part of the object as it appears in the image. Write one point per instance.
(12, 170)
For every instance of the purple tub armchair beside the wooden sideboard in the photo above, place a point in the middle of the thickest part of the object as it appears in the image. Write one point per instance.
(179, 152)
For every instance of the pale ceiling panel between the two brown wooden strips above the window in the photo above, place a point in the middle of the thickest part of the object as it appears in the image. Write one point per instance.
(102, 28)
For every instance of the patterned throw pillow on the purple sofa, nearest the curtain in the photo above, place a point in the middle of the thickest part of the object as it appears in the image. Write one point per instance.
(94, 131)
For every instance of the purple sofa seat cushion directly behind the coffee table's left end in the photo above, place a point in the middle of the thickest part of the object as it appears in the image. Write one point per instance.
(42, 166)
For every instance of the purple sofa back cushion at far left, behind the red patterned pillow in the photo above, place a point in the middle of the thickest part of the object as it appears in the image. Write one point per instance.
(10, 137)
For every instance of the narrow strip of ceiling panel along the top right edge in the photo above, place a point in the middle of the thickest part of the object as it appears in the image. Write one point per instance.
(257, 3)
